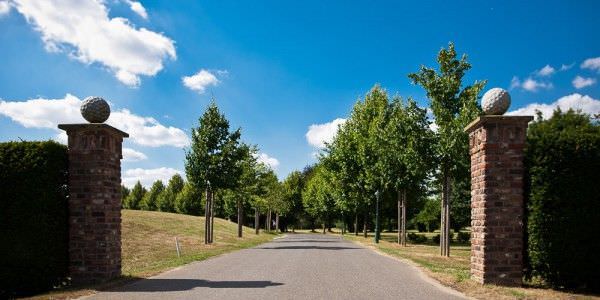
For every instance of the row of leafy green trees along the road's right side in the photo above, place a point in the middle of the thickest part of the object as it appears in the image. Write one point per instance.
(386, 149)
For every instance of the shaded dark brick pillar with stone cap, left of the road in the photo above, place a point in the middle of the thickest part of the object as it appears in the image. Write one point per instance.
(94, 201)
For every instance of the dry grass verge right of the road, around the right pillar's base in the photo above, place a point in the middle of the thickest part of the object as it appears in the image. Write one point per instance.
(455, 270)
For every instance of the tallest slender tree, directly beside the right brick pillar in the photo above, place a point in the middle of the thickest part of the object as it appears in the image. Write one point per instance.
(453, 108)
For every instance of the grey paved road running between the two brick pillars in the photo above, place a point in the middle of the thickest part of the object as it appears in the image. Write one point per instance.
(299, 266)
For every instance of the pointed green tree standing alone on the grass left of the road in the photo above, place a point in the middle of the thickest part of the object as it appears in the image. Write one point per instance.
(212, 162)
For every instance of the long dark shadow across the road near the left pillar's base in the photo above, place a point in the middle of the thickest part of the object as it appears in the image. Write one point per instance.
(172, 285)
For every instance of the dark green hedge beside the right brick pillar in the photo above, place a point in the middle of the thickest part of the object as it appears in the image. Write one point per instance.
(563, 206)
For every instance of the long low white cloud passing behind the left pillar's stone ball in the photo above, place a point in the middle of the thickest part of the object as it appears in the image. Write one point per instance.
(48, 113)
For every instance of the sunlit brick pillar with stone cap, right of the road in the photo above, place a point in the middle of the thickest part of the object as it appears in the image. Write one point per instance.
(496, 148)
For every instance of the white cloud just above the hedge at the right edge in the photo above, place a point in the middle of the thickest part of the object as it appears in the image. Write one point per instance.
(575, 101)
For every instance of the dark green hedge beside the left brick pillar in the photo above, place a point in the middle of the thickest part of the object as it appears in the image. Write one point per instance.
(33, 217)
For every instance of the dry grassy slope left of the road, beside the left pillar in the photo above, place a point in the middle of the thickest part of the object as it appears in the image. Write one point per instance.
(148, 245)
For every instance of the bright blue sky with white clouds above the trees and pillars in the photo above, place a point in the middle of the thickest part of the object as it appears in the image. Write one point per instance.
(274, 67)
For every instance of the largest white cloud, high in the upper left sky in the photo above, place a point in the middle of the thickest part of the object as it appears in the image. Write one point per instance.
(83, 29)
